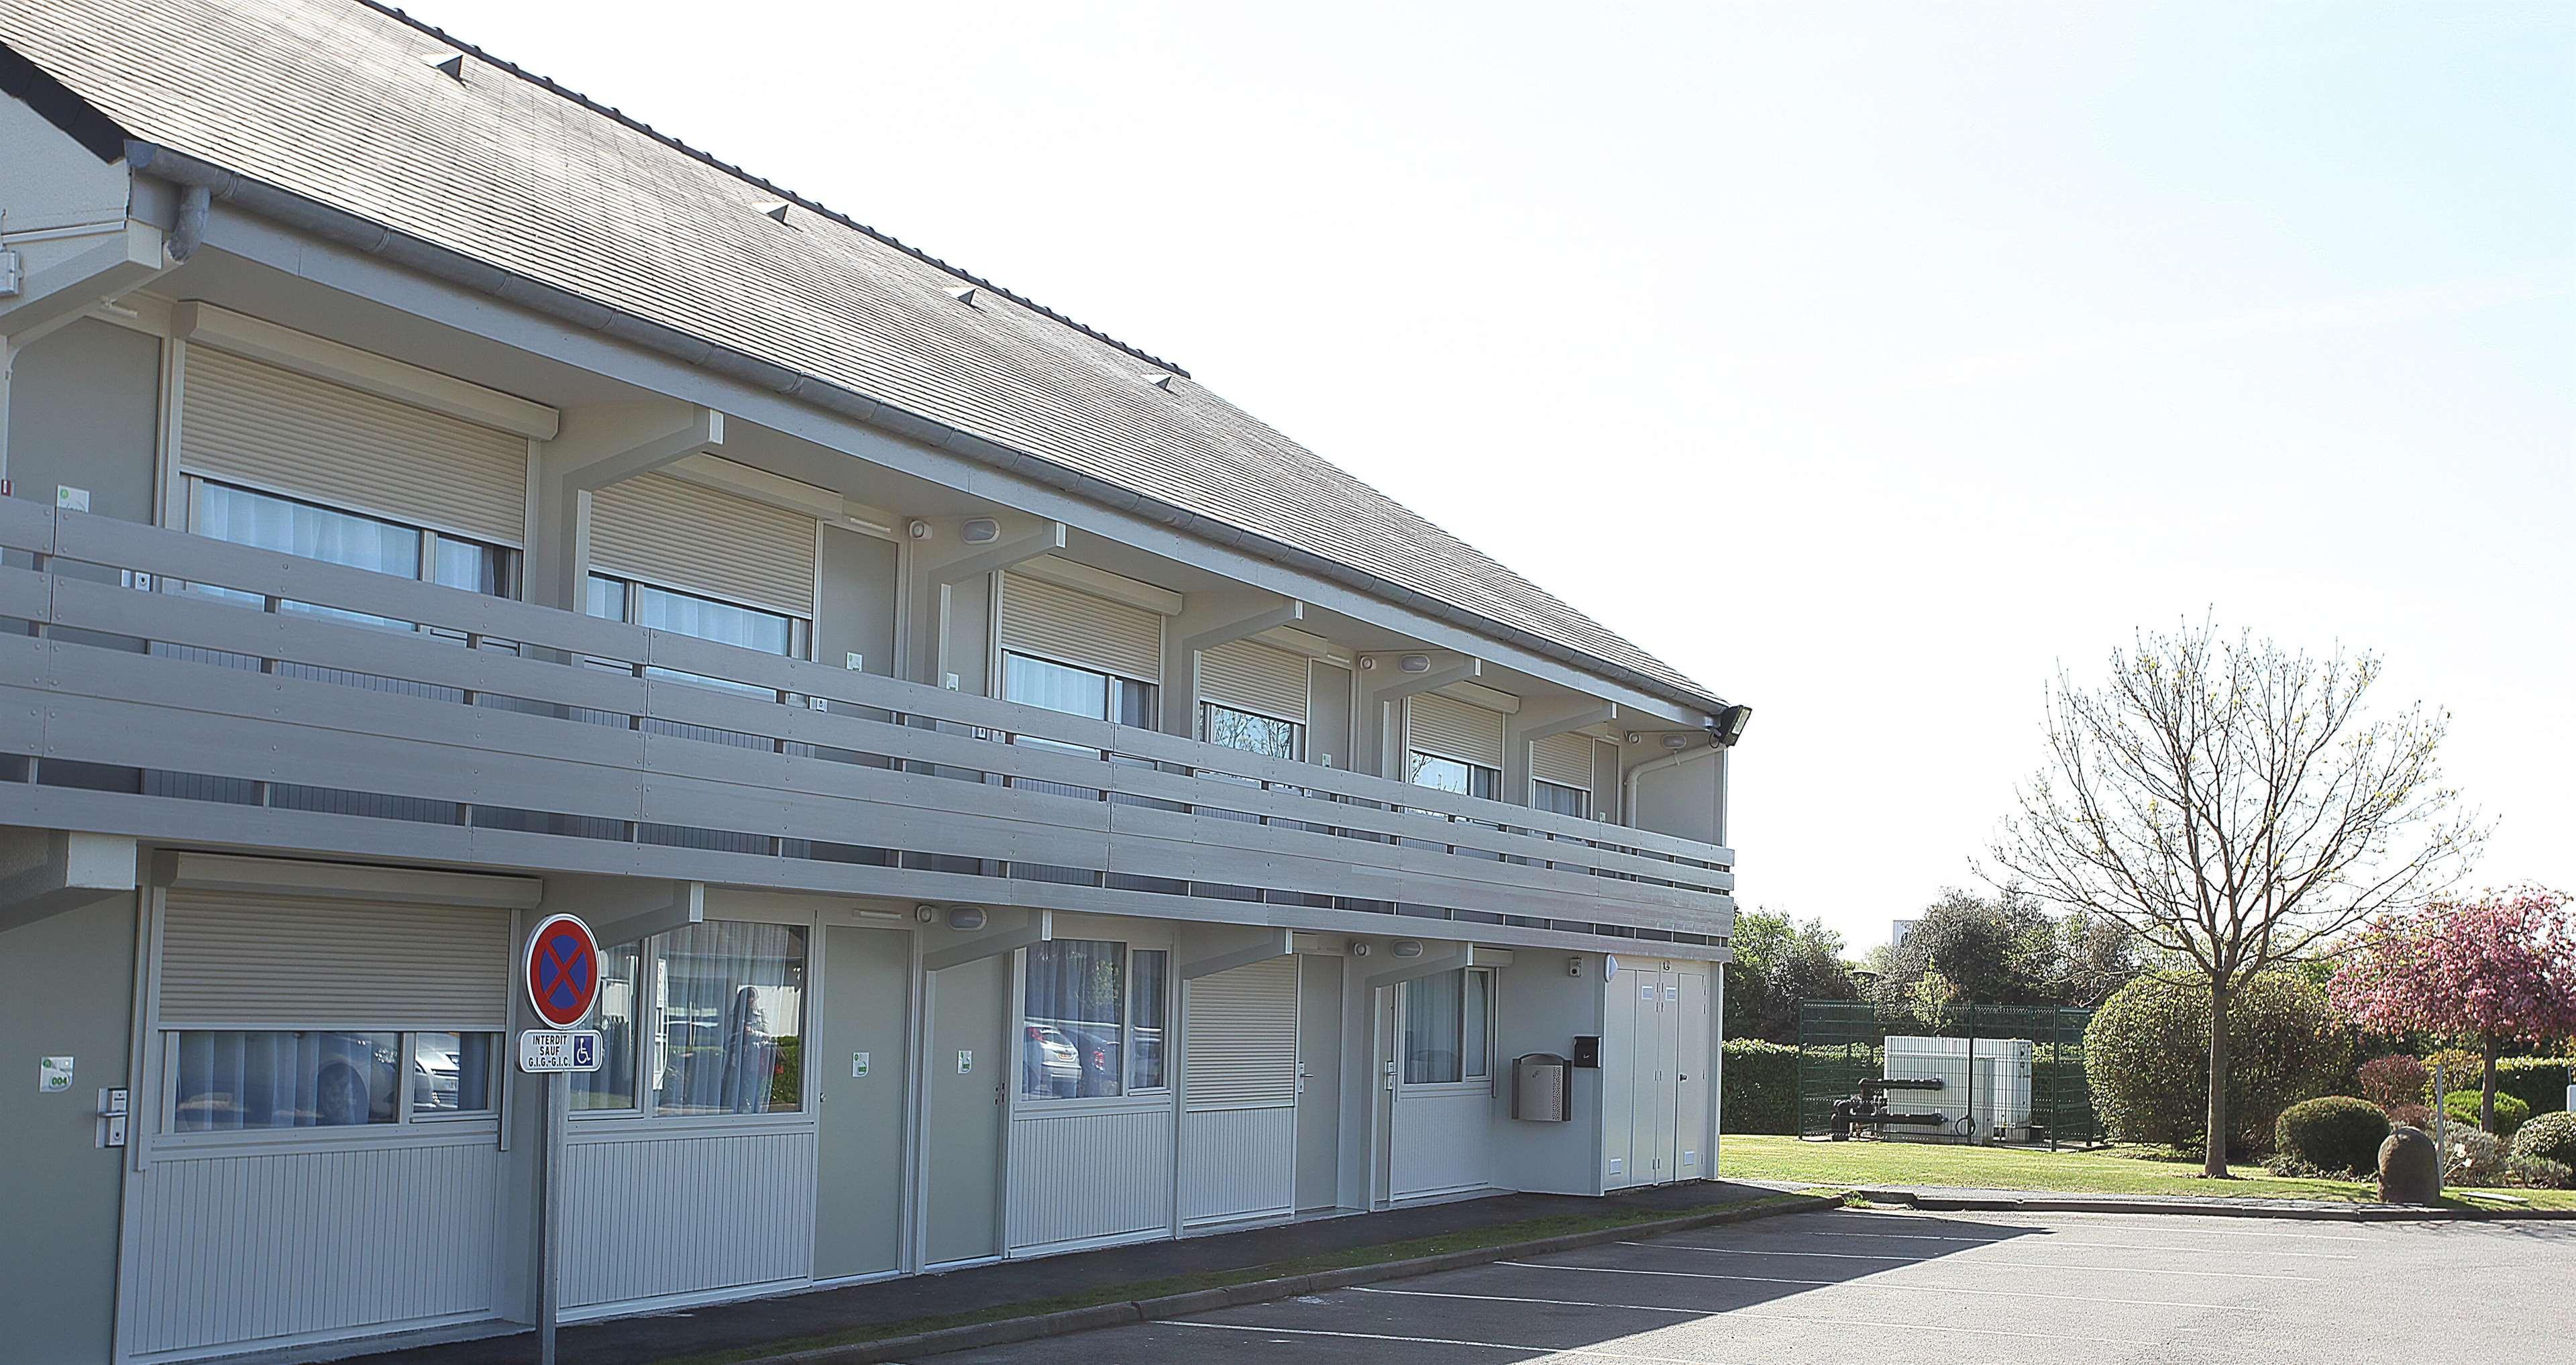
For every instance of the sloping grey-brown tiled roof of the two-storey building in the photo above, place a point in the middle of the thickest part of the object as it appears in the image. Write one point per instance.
(334, 102)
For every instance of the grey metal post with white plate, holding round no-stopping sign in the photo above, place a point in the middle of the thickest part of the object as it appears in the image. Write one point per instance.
(563, 975)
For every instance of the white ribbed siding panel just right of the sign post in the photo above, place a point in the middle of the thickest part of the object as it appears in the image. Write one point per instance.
(687, 1212)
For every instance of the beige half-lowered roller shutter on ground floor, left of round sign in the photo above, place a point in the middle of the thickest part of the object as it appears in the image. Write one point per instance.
(287, 962)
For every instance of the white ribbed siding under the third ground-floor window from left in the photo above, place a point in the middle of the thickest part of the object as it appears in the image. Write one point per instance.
(1088, 1176)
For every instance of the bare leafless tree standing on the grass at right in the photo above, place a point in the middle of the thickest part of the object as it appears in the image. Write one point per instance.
(2232, 805)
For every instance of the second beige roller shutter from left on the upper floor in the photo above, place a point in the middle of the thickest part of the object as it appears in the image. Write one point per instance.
(702, 540)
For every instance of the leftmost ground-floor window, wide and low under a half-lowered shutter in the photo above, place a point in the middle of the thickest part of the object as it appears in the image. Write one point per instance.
(264, 1080)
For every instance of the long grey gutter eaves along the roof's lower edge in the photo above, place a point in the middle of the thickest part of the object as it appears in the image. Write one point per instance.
(416, 254)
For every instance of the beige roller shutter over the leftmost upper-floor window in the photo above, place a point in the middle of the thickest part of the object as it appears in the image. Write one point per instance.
(279, 431)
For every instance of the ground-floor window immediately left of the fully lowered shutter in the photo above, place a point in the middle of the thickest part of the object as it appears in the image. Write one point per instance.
(1091, 1026)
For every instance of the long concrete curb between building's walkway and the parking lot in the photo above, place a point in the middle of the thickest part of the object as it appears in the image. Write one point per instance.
(1258, 1292)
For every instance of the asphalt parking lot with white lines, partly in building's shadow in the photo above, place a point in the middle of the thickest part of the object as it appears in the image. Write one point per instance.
(1882, 1286)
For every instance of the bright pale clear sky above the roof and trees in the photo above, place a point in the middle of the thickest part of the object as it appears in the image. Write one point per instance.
(1866, 362)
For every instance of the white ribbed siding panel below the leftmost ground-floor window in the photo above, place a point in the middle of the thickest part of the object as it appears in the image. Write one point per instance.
(279, 1245)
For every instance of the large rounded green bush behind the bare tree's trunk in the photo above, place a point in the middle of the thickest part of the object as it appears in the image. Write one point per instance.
(2147, 1057)
